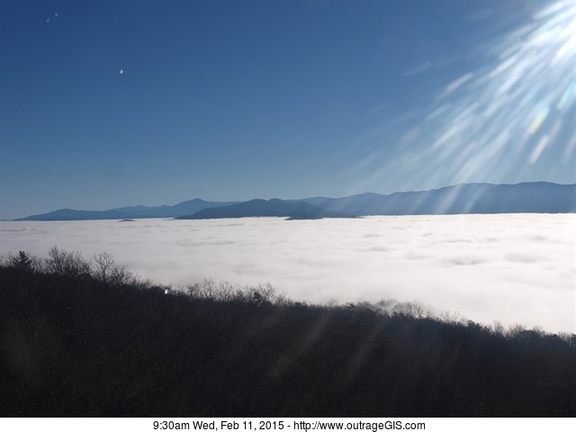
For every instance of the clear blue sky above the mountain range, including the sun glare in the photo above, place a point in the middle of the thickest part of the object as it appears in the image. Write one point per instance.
(111, 103)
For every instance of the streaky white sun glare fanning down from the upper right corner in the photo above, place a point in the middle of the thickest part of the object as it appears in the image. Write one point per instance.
(502, 119)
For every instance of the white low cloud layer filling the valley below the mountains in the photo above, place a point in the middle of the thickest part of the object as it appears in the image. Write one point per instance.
(517, 268)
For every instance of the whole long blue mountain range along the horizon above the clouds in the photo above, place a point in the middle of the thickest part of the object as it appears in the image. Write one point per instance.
(538, 197)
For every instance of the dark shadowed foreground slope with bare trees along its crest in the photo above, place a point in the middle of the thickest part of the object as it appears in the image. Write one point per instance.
(91, 340)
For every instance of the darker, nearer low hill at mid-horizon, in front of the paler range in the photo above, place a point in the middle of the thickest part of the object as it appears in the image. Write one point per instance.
(275, 207)
